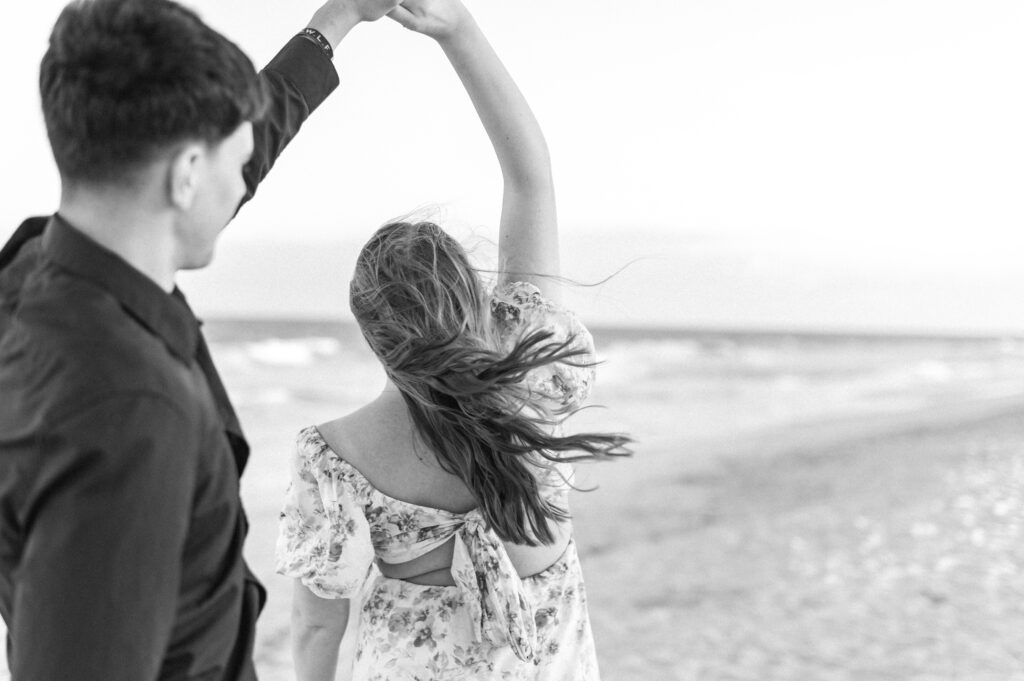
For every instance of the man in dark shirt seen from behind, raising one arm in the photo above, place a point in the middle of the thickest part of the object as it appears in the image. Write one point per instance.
(121, 528)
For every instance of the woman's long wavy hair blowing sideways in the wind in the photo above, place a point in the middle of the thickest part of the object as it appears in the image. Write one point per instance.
(423, 311)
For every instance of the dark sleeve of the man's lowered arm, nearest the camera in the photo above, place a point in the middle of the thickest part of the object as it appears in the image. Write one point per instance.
(105, 531)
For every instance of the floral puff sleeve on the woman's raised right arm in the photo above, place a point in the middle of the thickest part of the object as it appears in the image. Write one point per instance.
(519, 309)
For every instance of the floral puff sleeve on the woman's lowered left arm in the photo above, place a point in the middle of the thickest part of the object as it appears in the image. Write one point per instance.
(324, 537)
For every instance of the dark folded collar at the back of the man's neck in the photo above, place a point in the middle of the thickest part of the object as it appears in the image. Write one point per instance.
(166, 316)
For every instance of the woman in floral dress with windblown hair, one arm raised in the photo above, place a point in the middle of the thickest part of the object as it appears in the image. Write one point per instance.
(442, 506)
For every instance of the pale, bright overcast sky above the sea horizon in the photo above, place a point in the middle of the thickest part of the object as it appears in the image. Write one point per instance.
(867, 139)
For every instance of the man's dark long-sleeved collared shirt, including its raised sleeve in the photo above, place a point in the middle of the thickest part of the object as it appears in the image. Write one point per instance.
(121, 527)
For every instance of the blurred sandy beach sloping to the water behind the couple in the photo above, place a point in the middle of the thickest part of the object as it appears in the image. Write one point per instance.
(871, 548)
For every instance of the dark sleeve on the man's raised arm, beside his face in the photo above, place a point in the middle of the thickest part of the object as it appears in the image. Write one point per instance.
(297, 80)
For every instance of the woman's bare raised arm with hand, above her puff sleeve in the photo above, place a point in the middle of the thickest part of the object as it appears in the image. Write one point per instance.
(529, 236)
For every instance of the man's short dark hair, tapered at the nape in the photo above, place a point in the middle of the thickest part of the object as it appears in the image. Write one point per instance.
(125, 80)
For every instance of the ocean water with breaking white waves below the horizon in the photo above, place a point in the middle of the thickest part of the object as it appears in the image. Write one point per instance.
(709, 382)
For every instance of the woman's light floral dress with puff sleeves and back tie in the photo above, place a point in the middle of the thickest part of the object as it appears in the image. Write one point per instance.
(492, 624)
